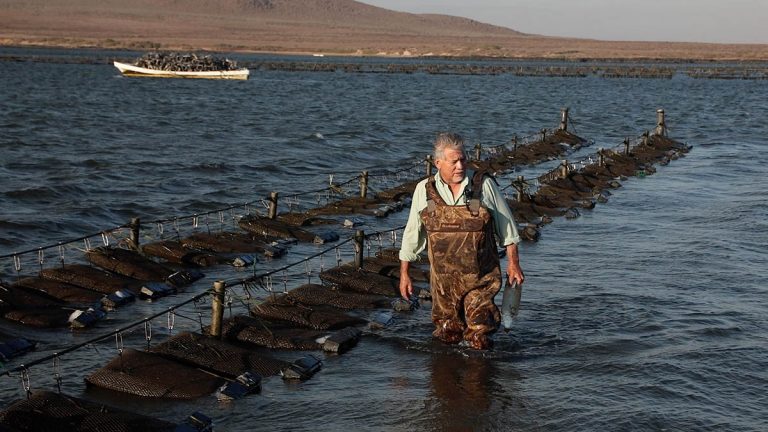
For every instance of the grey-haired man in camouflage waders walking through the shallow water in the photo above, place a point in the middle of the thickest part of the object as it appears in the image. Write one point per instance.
(457, 217)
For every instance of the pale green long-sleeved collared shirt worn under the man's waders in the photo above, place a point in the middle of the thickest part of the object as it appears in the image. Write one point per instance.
(415, 236)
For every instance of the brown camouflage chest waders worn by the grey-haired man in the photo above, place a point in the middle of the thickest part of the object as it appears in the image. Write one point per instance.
(465, 273)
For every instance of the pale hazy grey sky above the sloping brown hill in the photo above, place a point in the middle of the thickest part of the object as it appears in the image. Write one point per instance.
(739, 21)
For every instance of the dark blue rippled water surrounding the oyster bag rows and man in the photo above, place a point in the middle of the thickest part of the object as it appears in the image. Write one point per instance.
(646, 313)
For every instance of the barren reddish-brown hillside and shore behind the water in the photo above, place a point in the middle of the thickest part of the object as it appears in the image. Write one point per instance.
(344, 27)
